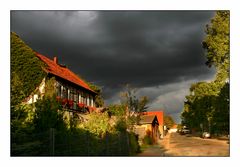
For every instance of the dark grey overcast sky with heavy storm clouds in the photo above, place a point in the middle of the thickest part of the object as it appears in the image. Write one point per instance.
(158, 52)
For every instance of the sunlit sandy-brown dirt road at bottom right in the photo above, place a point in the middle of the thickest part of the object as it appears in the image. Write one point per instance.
(184, 145)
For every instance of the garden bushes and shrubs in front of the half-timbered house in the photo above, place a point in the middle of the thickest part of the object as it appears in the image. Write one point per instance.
(95, 138)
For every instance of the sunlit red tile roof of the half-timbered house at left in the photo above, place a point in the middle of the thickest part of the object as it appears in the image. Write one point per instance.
(62, 72)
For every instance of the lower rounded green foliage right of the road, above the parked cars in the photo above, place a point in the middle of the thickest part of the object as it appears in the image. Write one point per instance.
(209, 107)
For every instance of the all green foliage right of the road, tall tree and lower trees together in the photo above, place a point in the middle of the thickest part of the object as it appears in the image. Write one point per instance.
(208, 103)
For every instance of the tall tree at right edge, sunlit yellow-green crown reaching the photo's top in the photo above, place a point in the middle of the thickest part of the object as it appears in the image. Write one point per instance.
(217, 46)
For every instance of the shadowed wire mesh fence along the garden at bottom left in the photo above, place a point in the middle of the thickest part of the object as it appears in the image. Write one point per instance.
(79, 143)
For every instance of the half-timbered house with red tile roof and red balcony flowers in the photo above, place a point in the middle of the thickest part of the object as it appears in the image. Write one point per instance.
(72, 92)
